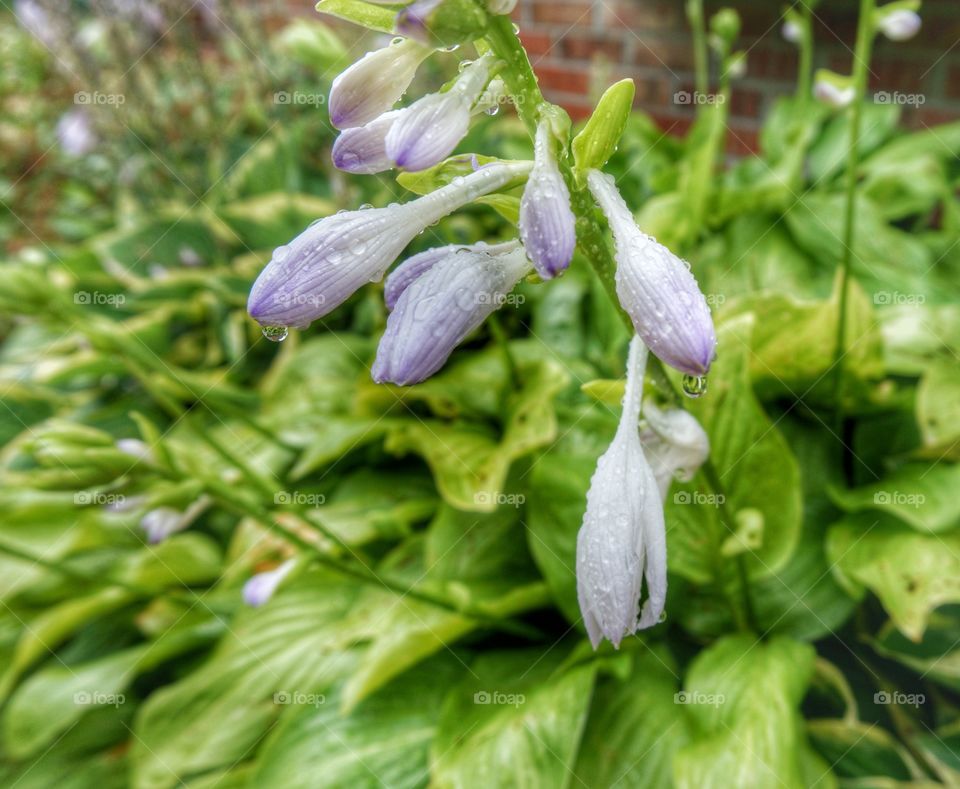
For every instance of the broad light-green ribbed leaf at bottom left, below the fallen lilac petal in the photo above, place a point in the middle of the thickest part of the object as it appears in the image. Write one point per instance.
(300, 643)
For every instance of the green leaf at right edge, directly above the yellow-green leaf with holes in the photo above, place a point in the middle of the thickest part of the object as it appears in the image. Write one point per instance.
(921, 495)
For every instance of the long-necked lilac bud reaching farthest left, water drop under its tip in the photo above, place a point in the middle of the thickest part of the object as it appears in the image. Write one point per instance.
(323, 266)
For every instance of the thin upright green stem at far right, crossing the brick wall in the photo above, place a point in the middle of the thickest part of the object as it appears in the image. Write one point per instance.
(861, 67)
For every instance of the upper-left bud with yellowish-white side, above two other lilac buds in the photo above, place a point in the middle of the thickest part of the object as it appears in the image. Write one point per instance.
(373, 84)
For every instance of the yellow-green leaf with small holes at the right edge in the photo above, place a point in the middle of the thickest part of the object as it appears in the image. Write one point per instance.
(911, 573)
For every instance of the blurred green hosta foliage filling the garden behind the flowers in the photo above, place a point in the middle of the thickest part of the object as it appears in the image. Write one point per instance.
(429, 632)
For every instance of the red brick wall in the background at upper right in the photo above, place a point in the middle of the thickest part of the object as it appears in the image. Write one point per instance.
(579, 46)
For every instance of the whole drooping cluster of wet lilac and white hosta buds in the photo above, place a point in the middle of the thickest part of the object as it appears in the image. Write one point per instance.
(439, 297)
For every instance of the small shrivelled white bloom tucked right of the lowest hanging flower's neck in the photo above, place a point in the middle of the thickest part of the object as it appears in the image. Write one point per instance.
(674, 443)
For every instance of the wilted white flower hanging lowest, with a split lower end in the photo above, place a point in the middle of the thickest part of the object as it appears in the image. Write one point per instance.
(622, 540)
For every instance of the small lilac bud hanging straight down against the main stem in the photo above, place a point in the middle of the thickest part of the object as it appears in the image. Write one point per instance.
(547, 224)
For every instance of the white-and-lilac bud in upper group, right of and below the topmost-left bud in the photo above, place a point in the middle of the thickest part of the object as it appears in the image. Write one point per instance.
(431, 127)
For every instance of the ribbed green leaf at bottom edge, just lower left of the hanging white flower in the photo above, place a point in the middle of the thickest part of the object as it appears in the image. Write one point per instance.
(516, 720)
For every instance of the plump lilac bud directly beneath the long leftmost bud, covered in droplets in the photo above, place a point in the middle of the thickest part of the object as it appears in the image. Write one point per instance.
(435, 312)
